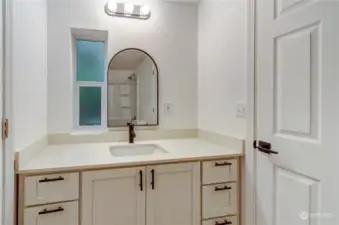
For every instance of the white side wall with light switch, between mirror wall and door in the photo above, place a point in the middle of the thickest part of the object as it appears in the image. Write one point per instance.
(221, 65)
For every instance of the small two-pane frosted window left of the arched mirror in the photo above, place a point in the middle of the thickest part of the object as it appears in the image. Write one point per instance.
(90, 82)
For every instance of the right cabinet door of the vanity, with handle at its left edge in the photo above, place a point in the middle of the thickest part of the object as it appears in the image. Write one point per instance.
(173, 194)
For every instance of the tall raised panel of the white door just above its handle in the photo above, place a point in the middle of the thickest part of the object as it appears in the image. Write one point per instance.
(296, 83)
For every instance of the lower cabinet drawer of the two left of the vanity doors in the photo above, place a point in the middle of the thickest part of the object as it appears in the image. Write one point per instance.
(56, 214)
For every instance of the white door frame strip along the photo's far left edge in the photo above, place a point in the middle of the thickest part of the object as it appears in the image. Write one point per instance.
(7, 188)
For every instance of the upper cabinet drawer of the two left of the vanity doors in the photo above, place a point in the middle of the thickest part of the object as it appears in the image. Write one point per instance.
(51, 188)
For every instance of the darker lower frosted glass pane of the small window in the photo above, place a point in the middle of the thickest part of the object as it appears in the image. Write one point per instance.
(90, 106)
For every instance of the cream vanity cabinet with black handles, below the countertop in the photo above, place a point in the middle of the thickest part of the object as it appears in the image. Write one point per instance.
(201, 192)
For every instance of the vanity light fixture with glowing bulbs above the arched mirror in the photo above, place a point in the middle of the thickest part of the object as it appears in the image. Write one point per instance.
(128, 10)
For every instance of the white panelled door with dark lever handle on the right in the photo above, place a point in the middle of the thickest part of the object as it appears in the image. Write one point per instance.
(298, 112)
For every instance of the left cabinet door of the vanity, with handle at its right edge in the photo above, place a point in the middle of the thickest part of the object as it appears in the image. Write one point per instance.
(113, 197)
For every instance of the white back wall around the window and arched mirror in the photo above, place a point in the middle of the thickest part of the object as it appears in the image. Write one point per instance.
(170, 36)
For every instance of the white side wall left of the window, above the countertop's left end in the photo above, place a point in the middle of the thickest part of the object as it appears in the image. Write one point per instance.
(29, 72)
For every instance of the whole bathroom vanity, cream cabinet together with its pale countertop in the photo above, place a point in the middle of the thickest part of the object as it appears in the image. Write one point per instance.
(166, 182)
